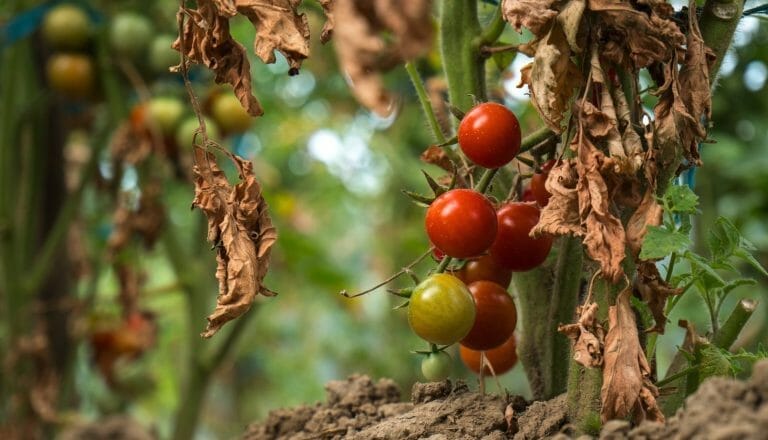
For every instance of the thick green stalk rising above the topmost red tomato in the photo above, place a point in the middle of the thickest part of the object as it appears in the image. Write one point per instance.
(460, 49)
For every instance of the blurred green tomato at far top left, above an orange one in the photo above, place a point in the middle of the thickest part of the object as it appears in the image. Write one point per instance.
(66, 26)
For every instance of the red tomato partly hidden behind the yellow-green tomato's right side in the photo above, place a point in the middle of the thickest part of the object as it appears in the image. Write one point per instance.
(495, 319)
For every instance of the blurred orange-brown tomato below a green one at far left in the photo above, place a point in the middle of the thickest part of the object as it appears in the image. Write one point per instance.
(72, 75)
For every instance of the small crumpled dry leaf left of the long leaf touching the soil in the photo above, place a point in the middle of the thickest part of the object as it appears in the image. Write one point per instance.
(587, 336)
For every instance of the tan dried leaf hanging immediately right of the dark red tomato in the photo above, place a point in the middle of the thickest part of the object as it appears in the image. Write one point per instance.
(561, 215)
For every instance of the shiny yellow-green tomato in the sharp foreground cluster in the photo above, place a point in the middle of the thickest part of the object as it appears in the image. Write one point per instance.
(441, 309)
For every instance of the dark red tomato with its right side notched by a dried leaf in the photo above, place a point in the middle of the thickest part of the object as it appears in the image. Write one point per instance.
(513, 248)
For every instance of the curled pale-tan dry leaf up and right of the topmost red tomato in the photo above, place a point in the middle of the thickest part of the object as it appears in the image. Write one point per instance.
(551, 77)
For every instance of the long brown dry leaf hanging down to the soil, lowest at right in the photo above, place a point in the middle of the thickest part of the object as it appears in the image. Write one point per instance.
(627, 388)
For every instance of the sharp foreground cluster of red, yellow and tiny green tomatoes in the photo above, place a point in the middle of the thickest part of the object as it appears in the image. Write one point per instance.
(471, 305)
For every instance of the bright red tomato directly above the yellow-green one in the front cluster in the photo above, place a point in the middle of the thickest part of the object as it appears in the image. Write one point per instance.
(461, 223)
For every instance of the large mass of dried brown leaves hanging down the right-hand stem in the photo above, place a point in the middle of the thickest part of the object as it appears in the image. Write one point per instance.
(605, 192)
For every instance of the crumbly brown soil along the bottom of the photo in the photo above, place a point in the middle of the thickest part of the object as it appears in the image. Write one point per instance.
(361, 409)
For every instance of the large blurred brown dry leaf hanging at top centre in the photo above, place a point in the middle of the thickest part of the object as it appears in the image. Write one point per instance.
(372, 36)
